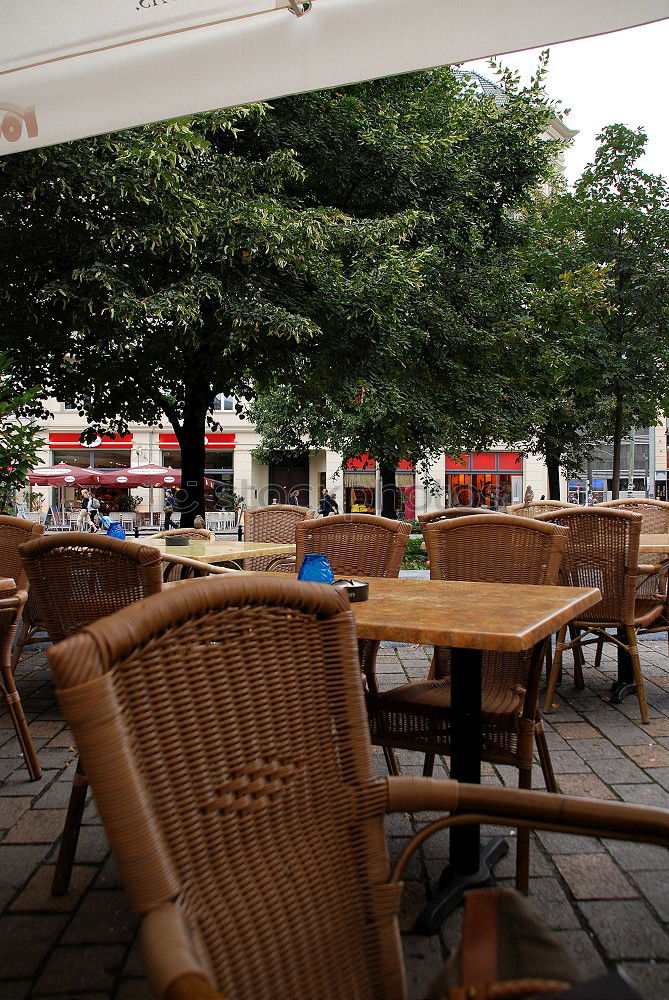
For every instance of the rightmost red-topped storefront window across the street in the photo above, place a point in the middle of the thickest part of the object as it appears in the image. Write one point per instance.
(484, 479)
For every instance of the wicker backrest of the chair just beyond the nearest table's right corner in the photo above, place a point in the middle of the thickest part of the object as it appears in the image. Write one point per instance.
(602, 551)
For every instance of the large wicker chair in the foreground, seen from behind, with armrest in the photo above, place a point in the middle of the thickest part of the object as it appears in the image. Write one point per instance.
(253, 846)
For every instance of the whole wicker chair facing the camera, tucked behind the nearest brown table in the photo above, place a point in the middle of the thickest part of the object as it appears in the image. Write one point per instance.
(417, 716)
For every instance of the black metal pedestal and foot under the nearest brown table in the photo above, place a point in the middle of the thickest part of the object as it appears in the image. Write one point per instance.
(470, 865)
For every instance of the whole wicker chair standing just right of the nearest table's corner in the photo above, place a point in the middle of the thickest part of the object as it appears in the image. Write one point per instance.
(603, 551)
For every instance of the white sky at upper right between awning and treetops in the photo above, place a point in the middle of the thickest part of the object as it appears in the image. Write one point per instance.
(608, 79)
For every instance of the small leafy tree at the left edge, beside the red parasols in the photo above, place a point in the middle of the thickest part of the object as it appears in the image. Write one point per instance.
(19, 436)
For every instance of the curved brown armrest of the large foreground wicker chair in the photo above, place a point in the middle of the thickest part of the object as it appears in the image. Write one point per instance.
(517, 807)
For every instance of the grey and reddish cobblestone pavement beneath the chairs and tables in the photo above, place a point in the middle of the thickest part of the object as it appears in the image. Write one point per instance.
(607, 901)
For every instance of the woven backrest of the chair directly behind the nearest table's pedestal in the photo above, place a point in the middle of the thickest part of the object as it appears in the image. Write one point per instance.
(495, 548)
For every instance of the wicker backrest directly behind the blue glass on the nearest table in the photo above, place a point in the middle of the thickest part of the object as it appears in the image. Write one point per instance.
(355, 544)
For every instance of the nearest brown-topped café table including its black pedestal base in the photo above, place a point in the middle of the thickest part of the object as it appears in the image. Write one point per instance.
(470, 618)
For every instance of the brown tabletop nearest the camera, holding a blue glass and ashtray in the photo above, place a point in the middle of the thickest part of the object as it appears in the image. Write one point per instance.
(488, 616)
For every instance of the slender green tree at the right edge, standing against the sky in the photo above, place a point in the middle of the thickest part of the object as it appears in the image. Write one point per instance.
(617, 218)
